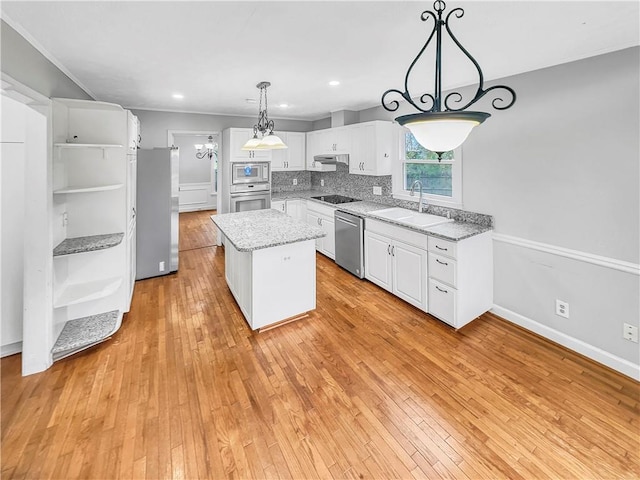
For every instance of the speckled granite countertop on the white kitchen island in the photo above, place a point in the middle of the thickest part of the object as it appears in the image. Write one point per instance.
(257, 229)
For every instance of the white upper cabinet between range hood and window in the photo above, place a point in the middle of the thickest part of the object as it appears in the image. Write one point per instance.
(374, 148)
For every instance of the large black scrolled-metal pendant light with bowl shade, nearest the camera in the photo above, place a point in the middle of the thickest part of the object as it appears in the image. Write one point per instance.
(436, 129)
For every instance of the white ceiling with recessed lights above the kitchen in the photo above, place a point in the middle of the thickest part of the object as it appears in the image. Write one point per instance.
(137, 54)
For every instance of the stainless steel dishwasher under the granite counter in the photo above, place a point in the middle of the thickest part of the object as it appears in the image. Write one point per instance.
(350, 242)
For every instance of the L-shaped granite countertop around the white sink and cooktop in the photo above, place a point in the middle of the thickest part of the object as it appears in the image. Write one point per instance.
(455, 231)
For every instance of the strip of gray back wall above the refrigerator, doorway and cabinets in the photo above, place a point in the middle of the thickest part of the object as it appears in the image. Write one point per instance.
(155, 125)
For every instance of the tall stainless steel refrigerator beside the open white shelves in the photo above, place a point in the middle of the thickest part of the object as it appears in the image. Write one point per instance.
(157, 212)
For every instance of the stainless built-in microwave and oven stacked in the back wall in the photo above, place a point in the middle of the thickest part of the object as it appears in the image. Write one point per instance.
(250, 186)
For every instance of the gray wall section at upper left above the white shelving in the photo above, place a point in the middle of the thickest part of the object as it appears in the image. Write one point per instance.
(22, 62)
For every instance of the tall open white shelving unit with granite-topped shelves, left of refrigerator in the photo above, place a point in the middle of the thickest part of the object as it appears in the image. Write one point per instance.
(93, 221)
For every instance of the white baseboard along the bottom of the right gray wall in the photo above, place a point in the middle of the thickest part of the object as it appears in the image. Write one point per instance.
(594, 353)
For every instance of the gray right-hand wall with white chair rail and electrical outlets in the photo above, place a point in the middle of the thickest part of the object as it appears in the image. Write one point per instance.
(561, 169)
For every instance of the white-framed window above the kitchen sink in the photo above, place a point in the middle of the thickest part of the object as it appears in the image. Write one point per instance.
(441, 179)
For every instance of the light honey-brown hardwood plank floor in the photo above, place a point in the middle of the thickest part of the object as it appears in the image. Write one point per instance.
(366, 387)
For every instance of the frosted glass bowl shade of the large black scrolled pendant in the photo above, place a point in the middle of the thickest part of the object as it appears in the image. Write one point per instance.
(442, 131)
